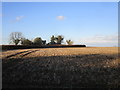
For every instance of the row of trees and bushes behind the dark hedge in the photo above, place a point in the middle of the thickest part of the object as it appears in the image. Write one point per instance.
(17, 38)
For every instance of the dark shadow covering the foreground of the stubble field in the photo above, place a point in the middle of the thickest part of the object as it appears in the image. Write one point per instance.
(61, 72)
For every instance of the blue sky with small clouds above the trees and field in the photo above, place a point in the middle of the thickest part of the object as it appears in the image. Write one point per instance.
(90, 23)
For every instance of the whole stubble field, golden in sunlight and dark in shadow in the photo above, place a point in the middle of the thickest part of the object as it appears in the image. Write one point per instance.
(61, 67)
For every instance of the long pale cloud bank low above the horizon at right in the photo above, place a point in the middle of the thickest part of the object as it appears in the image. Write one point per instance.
(101, 40)
